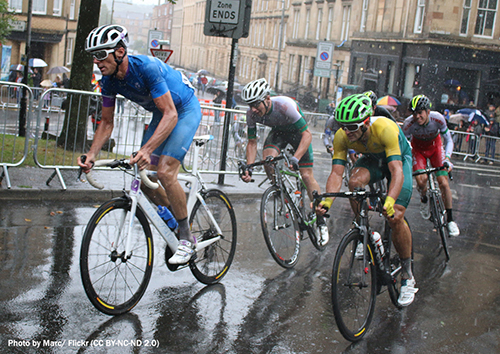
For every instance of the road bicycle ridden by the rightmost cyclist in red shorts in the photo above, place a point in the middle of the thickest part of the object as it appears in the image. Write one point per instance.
(436, 204)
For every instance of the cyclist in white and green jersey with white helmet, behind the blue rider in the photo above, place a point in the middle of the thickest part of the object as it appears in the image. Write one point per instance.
(288, 126)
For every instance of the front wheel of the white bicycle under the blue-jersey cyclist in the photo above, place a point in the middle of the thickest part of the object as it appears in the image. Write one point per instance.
(113, 284)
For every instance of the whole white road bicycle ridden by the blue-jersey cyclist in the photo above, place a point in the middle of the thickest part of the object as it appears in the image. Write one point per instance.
(116, 257)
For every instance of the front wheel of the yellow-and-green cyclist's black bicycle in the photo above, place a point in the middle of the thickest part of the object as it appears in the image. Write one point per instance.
(353, 304)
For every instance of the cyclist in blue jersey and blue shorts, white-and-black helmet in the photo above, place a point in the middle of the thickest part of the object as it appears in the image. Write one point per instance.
(176, 115)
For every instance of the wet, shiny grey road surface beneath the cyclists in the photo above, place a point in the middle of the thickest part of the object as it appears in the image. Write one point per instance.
(259, 307)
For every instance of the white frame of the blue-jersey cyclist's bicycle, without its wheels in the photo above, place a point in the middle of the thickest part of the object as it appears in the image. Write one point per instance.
(138, 198)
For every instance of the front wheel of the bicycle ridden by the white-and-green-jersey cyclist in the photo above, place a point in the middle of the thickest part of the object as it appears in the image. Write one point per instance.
(280, 228)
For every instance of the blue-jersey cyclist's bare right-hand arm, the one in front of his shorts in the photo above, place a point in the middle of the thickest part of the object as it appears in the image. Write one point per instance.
(167, 123)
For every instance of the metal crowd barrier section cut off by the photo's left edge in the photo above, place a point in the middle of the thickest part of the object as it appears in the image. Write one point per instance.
(14, 148)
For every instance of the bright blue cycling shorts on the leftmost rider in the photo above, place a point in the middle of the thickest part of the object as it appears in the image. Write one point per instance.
(178, 142)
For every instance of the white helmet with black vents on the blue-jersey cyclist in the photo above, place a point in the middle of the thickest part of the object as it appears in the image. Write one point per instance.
(106, 37)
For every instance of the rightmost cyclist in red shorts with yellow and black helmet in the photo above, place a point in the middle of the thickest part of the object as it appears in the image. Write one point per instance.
(425, 129)
